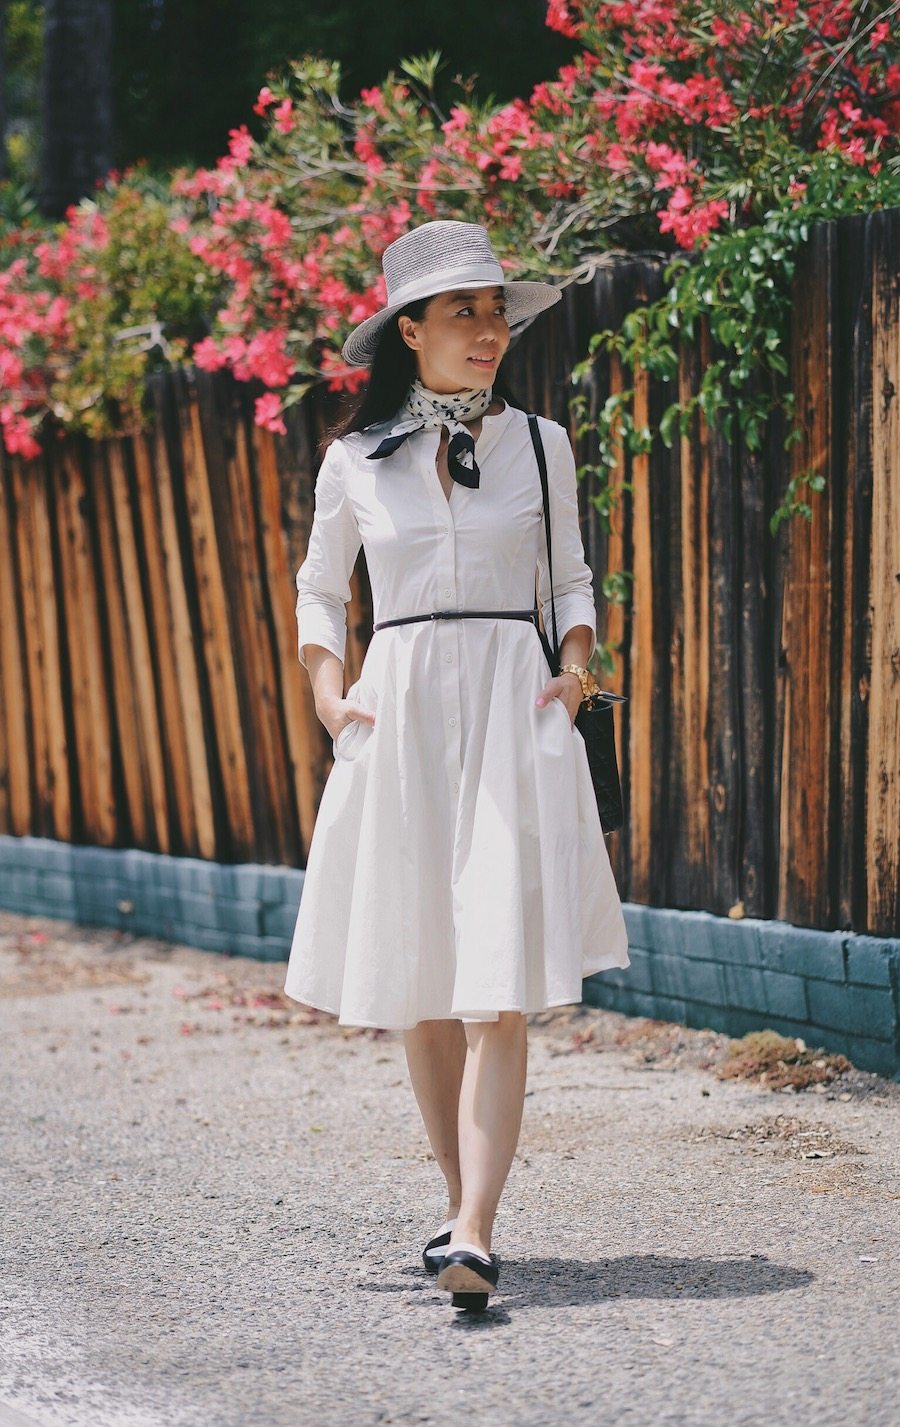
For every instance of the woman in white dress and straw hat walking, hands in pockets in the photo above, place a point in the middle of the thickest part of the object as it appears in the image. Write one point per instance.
(457, 878)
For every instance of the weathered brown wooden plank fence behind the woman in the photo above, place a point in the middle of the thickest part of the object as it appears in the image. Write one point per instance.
(152, 696)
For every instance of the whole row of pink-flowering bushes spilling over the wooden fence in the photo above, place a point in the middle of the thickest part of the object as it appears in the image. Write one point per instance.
(678, 123)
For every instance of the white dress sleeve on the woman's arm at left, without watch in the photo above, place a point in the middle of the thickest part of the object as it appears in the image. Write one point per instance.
(323, 580)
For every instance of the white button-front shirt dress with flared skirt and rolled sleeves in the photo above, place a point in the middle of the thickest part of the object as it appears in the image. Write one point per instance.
(457, 865)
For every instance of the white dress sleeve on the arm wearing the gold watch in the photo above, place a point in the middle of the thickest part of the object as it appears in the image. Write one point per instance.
(573, 577)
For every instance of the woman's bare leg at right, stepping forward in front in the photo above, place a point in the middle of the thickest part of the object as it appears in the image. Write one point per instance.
(491, 1102)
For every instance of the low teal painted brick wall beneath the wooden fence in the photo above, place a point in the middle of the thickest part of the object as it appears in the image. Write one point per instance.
(832, 988)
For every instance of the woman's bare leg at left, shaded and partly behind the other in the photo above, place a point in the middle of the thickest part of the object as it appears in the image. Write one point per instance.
(436, 1055)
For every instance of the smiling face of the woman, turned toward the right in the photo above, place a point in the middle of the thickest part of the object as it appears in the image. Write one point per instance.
(461, 340)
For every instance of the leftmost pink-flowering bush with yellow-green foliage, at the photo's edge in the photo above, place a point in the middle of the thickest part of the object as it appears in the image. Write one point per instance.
(91, 306)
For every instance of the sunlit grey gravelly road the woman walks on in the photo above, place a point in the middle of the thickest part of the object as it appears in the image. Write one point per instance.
(215, 1205)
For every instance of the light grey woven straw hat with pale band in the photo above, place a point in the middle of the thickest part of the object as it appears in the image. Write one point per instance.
(437, 258)
